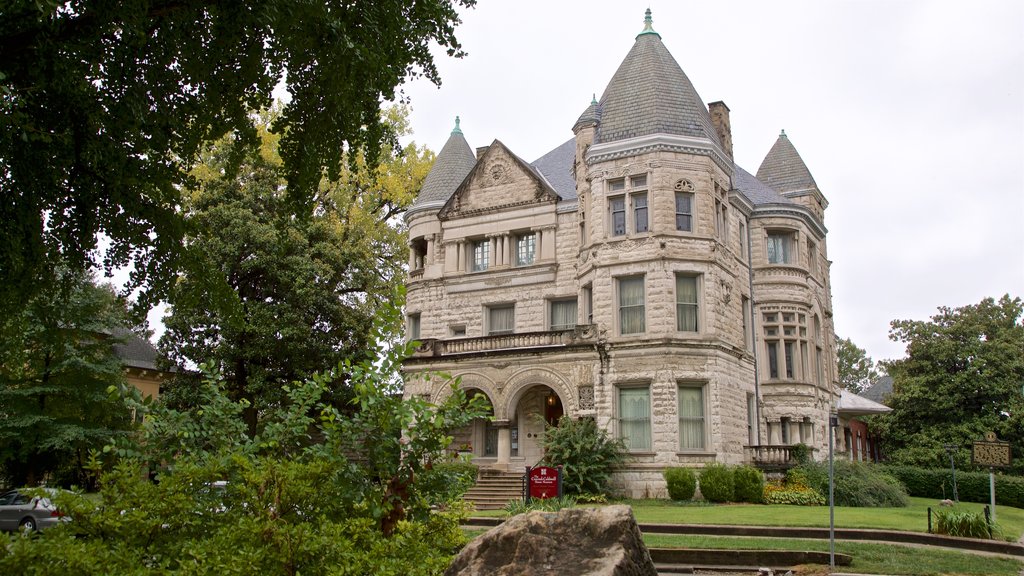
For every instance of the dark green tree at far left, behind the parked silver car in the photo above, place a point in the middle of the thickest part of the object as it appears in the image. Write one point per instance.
(57, 363)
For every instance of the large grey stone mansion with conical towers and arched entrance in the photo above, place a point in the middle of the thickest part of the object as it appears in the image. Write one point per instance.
(634, 275)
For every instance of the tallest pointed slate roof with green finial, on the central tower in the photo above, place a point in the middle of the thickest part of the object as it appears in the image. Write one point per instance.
(649, 95)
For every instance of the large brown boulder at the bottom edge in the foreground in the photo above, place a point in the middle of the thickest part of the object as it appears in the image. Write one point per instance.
(592, 542)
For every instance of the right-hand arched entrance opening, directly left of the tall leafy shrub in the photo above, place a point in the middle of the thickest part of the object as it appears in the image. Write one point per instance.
(537, 407)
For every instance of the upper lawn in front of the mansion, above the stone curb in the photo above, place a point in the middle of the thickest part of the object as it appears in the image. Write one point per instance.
(911, 519)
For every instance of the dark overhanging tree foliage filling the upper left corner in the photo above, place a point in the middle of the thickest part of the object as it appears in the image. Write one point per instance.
(105, 108)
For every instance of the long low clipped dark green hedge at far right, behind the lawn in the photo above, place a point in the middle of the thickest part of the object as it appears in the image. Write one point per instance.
(971, 487)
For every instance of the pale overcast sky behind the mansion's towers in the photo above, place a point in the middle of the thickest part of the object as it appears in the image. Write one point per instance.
(910, 114)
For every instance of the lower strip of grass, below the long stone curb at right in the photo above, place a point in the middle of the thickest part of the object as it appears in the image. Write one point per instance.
(868, 558)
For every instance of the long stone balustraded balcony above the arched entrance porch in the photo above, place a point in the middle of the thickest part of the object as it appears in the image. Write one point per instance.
(584, 335)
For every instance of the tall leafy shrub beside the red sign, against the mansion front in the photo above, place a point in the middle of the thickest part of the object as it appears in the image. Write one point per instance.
(587, 455)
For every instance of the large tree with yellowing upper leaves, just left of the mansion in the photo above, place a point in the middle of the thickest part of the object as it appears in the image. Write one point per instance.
(269, 298)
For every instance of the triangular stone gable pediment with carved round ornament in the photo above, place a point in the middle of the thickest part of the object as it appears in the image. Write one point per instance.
(499, 182)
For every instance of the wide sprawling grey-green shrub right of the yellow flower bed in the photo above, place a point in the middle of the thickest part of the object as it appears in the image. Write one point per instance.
(857, 484)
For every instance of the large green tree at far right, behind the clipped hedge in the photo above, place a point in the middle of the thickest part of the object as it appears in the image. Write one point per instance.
(961, 379)
